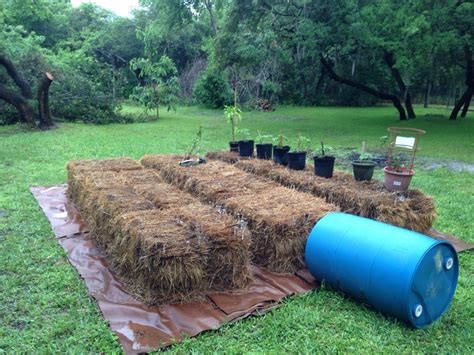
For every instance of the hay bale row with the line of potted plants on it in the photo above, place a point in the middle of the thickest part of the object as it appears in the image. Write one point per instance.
(411, 209)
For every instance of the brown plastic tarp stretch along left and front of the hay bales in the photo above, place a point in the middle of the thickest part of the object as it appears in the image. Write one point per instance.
(141, 328)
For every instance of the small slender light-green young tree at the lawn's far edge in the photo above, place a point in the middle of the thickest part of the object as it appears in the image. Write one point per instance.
(161, 85)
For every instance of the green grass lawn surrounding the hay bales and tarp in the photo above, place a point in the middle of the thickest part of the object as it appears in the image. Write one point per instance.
(44, 306)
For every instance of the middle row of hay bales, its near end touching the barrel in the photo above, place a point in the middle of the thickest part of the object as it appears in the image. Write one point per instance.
(279, 218)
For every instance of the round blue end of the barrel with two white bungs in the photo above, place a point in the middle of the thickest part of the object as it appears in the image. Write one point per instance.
(433, 284)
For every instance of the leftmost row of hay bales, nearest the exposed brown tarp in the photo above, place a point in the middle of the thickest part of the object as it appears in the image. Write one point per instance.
(165, 244)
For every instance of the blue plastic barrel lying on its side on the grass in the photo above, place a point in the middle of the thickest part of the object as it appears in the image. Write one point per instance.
(397, 271)
